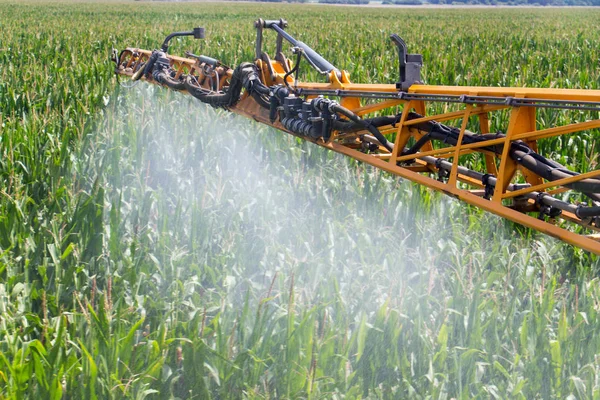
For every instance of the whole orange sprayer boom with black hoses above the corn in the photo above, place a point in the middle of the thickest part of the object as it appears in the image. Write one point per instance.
(513, 180)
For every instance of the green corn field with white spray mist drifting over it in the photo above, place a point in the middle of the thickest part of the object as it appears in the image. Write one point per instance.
(152, 247)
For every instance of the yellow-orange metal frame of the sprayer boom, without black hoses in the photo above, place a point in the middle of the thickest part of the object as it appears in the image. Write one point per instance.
(521, 126)
